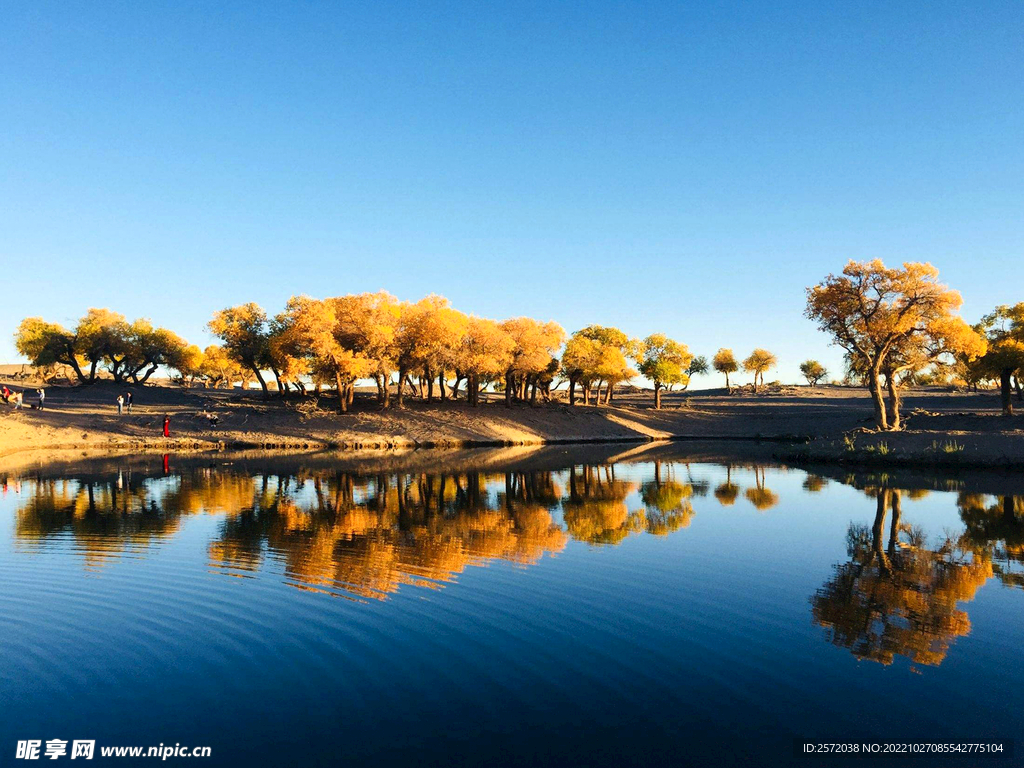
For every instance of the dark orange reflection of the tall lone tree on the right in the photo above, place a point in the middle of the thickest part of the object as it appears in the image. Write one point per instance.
(900, 600)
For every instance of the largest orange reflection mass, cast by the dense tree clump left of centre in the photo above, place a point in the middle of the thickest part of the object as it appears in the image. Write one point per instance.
(369, 536)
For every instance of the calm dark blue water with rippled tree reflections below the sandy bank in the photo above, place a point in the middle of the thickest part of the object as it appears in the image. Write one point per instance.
(508, 609)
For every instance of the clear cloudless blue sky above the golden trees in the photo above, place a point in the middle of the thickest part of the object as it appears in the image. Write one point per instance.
(688, 168)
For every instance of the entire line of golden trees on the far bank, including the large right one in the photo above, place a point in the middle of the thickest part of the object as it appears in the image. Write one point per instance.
(895, 325)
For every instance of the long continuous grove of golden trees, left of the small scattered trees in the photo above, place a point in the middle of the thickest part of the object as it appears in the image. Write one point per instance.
(426, 349)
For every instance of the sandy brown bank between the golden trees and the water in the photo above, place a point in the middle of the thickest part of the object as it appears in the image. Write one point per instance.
(824, 418)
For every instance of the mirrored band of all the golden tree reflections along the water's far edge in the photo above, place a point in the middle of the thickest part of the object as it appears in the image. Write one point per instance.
(900, 593)
